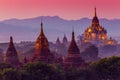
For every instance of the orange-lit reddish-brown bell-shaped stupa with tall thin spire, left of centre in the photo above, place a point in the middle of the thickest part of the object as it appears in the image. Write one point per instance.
(42, 51)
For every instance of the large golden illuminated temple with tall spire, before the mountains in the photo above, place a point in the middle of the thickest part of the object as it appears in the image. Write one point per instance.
(95, 33)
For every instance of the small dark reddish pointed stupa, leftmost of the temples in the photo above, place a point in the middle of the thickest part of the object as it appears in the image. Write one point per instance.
(11, 56)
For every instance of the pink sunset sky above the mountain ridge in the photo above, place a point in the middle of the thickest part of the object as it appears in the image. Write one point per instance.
(67, 9)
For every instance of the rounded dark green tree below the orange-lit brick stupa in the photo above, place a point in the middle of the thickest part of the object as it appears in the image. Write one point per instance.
(42, 71)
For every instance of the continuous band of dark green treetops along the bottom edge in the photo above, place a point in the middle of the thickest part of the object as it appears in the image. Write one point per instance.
(105, 69)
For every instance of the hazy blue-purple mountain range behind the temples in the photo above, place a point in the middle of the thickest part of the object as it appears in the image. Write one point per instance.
(54, 26)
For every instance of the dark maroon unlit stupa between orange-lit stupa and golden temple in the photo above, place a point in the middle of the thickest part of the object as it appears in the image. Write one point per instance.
(73, 58)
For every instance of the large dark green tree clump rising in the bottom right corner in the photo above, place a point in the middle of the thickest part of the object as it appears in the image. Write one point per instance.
(107, 68)
